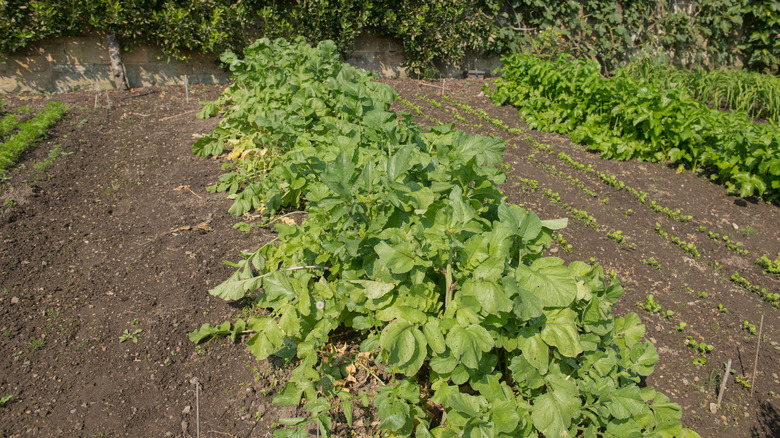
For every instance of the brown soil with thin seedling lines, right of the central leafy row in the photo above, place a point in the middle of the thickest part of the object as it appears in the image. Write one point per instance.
(543, 182)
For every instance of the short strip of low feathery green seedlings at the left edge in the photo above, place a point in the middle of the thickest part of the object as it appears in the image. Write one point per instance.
(28, 133)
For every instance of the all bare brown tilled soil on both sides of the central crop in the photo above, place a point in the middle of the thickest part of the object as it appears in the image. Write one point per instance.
(107, 256)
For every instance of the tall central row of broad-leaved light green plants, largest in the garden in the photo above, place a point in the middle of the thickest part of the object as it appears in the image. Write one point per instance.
(409, 243)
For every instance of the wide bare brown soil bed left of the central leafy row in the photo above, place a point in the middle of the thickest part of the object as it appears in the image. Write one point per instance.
(117, 237)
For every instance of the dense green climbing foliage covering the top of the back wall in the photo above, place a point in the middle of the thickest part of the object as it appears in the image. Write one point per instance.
(716, 32)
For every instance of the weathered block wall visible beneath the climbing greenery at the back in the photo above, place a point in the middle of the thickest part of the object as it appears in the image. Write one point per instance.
(81, 63)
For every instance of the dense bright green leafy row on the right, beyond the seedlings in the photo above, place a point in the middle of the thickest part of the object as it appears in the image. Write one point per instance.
(625, 119)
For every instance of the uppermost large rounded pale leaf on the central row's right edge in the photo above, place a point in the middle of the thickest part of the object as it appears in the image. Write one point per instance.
(549, 280)
